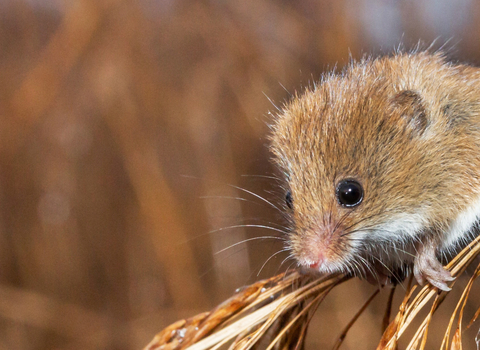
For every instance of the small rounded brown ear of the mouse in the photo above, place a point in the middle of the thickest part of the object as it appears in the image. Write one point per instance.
(410, 104)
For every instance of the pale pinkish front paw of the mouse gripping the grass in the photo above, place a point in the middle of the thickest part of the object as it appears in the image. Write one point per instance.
(427, 268)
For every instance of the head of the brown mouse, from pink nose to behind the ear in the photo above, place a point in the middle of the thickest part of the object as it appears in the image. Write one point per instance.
(364, 167)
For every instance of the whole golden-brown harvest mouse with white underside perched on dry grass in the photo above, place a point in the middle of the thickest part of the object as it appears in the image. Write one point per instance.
(382, 165)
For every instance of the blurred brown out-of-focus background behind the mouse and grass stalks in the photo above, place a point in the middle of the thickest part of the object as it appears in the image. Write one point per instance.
(133, 147)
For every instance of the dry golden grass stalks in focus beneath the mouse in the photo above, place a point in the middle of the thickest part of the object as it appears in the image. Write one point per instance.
(275, 313)
